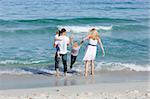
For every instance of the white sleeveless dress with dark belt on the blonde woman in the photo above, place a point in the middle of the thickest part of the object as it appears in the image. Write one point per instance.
(91, 50)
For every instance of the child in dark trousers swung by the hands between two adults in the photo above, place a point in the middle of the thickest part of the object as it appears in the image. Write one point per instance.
(74, 52)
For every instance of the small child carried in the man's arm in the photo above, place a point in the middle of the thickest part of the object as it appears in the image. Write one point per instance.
(56, 43)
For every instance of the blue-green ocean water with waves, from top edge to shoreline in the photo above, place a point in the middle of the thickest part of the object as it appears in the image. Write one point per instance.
(27, 30)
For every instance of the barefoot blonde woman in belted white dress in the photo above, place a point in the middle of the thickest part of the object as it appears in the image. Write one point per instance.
(91, 51)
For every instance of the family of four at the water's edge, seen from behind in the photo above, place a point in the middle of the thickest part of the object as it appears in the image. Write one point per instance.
(61, 42)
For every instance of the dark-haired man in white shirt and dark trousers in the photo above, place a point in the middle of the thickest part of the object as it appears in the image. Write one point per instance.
(63, 43)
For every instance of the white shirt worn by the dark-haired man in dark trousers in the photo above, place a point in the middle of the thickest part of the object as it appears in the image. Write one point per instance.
(63, 44)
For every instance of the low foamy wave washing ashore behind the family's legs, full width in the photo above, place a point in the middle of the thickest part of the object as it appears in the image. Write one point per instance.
(100, 66)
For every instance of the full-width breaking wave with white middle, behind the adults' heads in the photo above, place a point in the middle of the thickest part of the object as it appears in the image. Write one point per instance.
(73, 28)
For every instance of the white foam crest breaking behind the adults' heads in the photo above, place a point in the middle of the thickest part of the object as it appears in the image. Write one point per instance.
(79, 29)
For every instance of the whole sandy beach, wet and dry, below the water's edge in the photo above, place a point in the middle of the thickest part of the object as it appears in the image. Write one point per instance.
(105, 85)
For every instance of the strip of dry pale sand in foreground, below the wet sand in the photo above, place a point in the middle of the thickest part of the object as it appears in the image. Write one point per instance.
(134, 90)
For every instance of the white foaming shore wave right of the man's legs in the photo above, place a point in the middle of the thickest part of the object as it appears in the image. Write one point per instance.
(114, 66)
